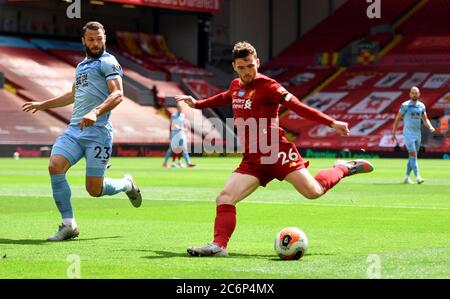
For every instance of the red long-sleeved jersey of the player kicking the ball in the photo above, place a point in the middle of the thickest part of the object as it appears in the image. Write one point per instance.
(258, 103)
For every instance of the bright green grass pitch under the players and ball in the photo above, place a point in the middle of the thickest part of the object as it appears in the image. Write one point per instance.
(369, 225)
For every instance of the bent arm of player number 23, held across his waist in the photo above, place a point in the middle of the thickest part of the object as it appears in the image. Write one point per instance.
(115, 98)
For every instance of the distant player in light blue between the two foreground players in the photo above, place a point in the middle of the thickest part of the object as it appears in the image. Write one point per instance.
(178, 139)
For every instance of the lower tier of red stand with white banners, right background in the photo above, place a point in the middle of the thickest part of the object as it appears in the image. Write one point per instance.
(368, 98)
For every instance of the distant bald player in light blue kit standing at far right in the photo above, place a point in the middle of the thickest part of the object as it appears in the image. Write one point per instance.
(413, 113)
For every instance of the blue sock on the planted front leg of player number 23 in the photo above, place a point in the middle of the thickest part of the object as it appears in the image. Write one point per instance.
(62, 195)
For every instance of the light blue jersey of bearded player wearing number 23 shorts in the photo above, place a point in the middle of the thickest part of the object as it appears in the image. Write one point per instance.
(91, 88)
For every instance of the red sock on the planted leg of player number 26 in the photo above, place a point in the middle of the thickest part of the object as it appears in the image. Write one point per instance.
(224, 224)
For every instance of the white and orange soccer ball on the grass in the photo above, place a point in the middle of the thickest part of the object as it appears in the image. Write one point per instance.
(291, 243)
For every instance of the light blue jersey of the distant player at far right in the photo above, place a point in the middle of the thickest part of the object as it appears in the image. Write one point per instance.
(412, 118)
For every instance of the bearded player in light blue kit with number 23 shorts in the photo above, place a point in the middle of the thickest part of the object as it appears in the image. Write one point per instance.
(97, 90)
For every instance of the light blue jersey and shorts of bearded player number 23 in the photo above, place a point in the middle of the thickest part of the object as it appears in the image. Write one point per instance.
(91, 90)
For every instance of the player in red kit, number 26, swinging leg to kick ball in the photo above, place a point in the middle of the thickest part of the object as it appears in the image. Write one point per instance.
(256, 99)
